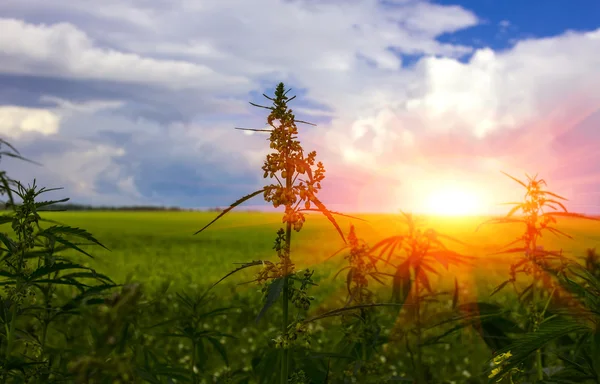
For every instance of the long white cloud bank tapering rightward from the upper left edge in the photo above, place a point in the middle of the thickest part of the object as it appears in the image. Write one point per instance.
(64, 50)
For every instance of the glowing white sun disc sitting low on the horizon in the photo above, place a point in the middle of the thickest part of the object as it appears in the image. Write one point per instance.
(453, 201)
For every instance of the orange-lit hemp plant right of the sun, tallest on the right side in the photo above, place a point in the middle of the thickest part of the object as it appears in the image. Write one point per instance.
(539, 209)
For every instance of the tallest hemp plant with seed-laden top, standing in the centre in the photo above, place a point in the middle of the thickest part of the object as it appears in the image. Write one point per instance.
(298, 177)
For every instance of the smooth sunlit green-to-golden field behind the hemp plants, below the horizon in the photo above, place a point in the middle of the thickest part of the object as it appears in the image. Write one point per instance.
(154, 247)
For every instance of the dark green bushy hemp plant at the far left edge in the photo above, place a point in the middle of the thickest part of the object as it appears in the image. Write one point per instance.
(32, 267)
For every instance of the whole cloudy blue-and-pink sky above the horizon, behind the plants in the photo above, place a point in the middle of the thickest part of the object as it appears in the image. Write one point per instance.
(419, 105)
